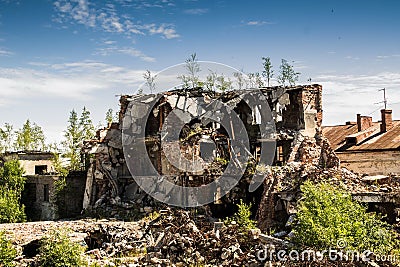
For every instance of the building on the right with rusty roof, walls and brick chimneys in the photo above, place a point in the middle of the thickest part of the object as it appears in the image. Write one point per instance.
(365, 146)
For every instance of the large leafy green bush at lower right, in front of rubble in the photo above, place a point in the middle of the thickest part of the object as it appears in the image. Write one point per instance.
(329, 218)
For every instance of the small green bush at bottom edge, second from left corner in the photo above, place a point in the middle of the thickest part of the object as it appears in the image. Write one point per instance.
(57, 250)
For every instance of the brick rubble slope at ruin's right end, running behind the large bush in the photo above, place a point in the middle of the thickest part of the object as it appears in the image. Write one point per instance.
(317, 162)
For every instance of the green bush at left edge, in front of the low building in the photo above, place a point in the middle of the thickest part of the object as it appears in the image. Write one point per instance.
(11, 186)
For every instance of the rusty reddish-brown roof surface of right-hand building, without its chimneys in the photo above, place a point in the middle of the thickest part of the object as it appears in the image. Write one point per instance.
(389, 140)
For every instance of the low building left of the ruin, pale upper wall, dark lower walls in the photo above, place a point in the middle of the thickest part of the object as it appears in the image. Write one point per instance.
(39, 194)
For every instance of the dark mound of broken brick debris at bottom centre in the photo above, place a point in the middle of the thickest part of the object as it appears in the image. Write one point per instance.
(178, 239)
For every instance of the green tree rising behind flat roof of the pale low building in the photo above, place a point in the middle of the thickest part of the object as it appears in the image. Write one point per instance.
(30, 137)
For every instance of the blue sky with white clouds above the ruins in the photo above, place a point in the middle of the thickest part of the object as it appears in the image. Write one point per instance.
(56, 56)
